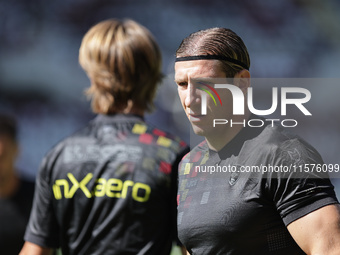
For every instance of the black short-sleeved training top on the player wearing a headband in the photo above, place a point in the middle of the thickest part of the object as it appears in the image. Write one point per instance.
(240, 200)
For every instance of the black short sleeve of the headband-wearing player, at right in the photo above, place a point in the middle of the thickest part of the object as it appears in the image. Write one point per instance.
(296, 191)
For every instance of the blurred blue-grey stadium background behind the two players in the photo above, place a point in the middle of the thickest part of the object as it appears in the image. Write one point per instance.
(42, 84)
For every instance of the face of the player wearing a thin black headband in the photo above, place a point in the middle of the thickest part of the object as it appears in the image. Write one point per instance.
(189, 76)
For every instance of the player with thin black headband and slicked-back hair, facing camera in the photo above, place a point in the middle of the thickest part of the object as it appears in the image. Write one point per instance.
(235, 212)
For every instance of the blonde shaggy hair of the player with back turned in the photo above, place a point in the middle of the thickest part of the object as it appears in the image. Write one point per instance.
(123, 62)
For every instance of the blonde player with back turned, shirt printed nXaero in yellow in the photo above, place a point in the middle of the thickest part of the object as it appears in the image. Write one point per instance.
(110, 188)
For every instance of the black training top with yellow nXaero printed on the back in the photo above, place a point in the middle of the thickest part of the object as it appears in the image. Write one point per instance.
(108, 189)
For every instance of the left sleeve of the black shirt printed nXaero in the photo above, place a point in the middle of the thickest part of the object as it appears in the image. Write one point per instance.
(42, 228)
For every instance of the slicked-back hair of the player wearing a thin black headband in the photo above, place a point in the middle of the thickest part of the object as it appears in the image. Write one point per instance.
(216, 41)
